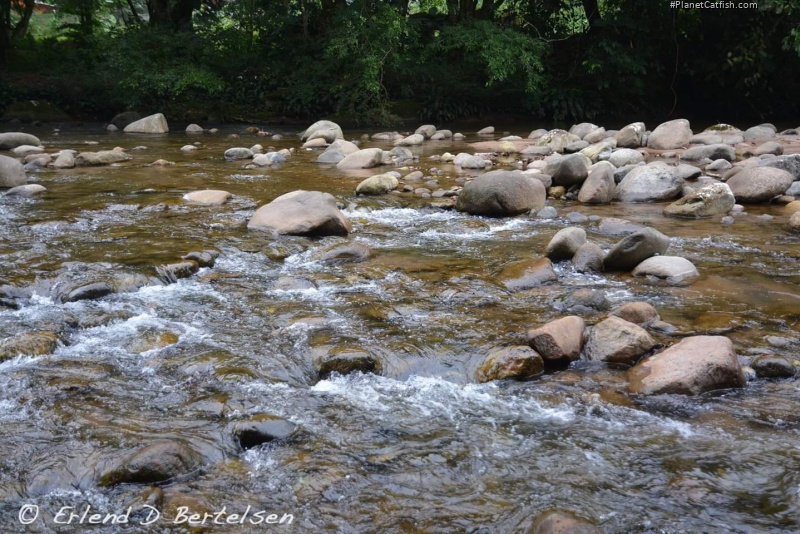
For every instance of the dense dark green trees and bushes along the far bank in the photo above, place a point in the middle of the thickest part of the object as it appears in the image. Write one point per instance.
(374, 60)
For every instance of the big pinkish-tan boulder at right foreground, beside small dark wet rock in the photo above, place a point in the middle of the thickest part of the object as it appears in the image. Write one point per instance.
(693, 366)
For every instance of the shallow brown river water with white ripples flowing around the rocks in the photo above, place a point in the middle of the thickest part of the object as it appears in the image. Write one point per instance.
(421, 448)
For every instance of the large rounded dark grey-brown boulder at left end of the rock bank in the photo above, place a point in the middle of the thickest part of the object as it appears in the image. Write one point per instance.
(501, 194)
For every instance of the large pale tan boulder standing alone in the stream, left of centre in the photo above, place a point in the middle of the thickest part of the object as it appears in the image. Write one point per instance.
(309, 213)
